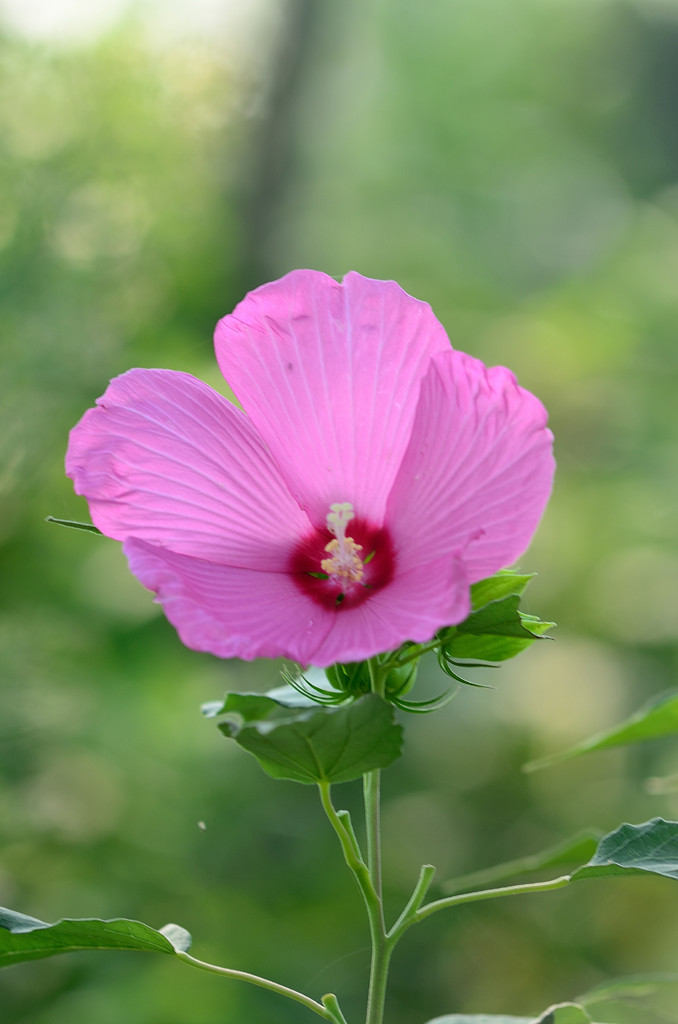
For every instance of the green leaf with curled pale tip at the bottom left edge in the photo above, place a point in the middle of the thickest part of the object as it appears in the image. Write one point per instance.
(25, 938)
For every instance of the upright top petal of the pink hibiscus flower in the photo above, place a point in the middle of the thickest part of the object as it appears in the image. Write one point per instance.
(329, 374)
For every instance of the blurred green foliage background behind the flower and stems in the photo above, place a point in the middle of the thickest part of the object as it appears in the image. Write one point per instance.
(516, 164)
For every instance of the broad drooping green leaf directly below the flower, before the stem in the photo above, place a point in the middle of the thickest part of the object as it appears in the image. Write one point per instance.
(314, 745)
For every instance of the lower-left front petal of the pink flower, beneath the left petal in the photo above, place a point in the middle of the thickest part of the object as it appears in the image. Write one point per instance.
(232, 613)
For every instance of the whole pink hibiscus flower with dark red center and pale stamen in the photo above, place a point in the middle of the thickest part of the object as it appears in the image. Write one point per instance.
(372, 477)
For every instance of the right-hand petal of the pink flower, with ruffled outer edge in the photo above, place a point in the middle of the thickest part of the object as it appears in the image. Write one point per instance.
(478, 473)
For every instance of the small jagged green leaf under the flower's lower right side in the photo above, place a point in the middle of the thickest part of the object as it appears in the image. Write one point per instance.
(495, 633)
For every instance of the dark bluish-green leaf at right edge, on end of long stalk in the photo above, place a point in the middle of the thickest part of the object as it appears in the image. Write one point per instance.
(652, 848)
